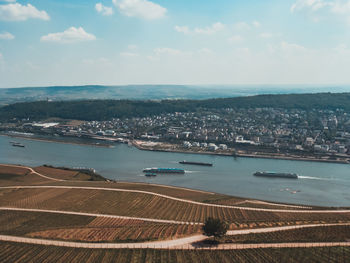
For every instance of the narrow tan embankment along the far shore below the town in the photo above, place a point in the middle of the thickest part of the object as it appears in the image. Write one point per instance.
(142, 147)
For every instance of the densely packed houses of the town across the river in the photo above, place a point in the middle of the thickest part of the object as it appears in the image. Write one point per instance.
(292, 129)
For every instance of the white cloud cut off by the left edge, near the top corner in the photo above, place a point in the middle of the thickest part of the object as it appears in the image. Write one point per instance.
(18, 12)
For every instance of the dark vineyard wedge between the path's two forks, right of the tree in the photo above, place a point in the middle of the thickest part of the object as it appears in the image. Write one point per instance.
(314, 234)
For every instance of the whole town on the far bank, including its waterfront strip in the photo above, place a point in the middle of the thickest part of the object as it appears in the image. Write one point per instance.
(322, 135)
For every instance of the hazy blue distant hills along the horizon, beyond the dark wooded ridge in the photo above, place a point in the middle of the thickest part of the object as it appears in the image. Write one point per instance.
(146, 92)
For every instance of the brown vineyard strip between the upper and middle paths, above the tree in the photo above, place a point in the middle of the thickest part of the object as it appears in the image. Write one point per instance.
(150, 206)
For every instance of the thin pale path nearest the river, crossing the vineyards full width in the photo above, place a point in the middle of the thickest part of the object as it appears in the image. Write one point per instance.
(178, 199)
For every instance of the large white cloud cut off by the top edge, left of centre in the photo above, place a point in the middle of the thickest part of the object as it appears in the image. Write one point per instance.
(140, 8)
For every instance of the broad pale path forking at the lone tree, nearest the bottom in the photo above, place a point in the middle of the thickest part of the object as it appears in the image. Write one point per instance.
(183, 243)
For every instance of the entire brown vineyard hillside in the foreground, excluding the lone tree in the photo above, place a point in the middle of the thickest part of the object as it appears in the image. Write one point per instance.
(145, 207)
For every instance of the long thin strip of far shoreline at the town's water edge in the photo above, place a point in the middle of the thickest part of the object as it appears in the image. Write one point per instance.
(240, 155)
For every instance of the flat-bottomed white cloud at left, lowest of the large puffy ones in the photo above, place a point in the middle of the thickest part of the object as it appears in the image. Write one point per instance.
(70, 35)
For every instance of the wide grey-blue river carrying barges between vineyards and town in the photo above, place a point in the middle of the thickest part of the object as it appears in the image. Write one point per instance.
(324, 184)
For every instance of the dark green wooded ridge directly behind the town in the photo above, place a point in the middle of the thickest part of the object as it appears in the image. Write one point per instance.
(107, 109)
